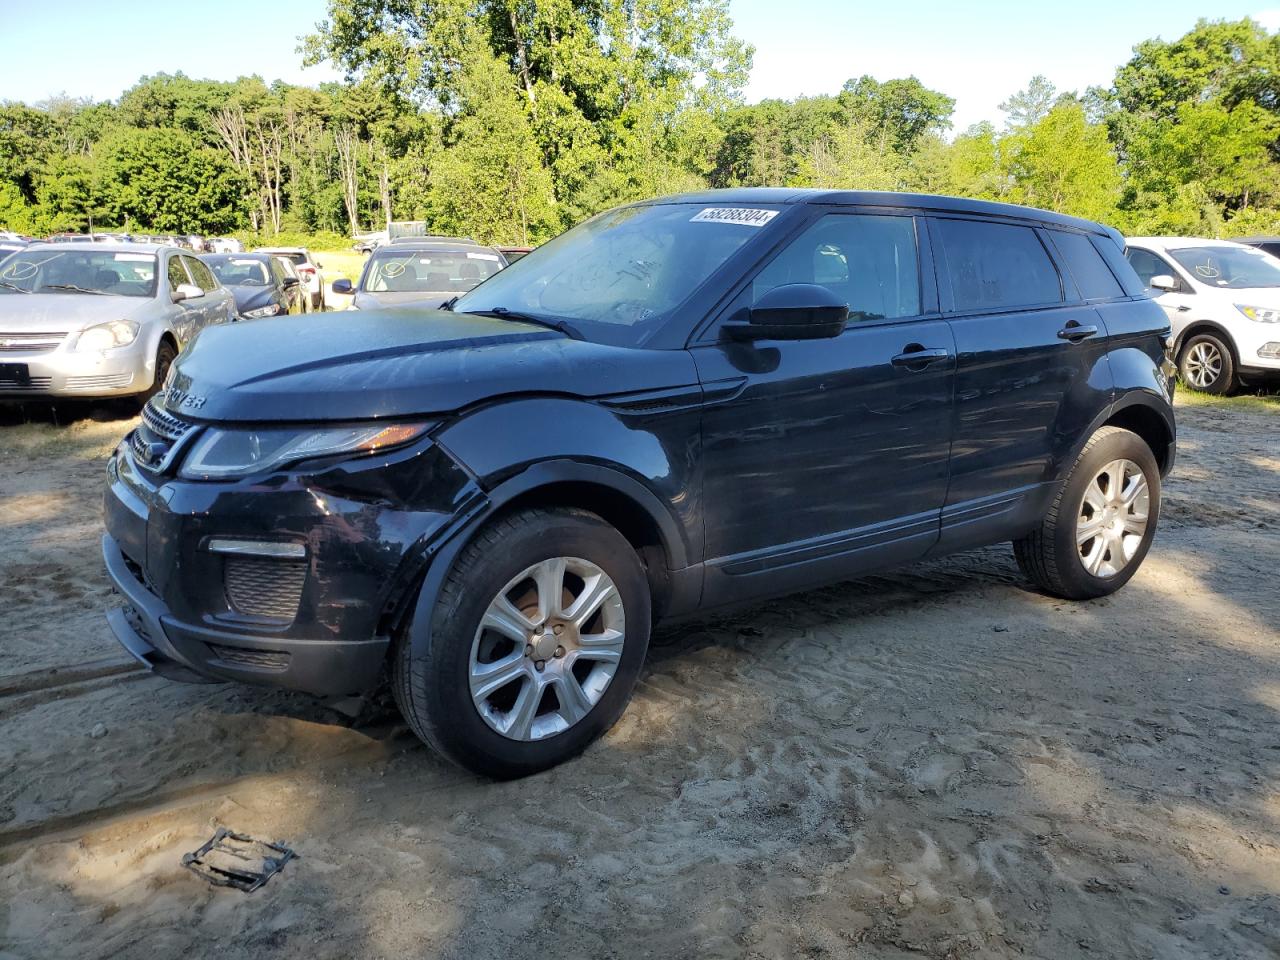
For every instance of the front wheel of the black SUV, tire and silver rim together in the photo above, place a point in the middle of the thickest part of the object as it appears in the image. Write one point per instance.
(537, 641)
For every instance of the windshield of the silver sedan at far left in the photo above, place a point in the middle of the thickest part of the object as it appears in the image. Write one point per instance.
(99, 272)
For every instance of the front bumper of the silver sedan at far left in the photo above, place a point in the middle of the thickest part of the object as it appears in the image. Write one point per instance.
(63, 373)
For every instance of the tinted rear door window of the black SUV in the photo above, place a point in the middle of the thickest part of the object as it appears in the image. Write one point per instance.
(996, 266)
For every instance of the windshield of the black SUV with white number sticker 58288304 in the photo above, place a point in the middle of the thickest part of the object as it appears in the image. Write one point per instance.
(620, 276)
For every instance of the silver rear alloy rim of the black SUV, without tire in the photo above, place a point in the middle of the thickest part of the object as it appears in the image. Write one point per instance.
(1113, 520)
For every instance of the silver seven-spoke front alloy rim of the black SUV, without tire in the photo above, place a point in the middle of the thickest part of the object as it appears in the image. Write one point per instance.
(547, 648)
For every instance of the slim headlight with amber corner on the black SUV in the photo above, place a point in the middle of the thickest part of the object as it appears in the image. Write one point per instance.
(226, 454)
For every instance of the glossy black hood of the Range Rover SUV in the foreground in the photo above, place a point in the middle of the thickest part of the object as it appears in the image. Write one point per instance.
(399, 363)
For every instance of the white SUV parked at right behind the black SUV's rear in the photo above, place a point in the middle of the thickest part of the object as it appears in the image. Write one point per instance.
(1223, 301)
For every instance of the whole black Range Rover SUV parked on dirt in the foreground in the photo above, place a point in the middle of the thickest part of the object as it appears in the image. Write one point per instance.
(678, 406)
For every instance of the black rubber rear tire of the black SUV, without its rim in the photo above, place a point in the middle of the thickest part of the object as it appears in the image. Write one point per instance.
(1052, 557)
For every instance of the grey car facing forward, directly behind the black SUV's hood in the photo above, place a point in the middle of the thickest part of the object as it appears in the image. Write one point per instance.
(424, 273)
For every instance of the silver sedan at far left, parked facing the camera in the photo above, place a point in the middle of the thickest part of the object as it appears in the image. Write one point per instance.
(100, 321)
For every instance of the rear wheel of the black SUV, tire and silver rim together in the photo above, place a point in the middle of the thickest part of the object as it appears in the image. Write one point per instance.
(1101, 525)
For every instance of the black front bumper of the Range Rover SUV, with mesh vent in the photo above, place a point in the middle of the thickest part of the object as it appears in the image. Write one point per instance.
(319, 625)
